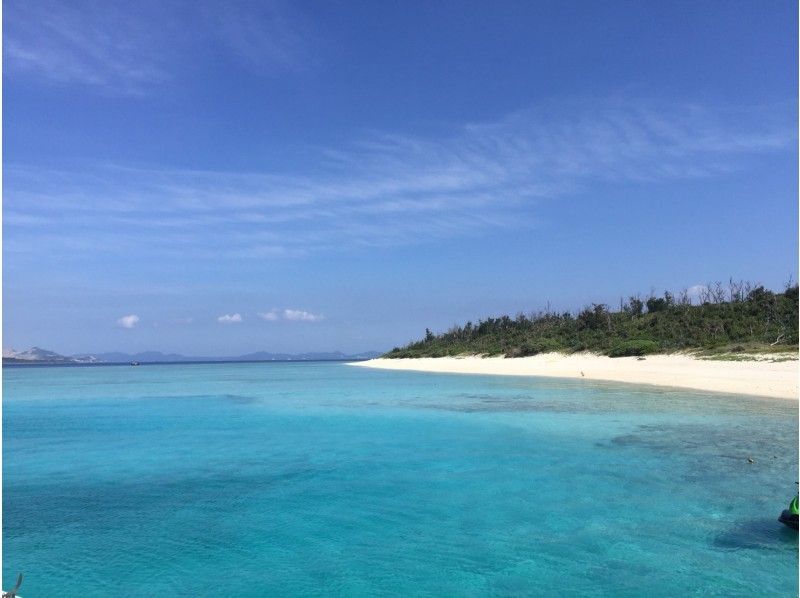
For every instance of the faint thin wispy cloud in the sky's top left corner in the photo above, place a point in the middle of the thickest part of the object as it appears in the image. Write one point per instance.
(128, 48)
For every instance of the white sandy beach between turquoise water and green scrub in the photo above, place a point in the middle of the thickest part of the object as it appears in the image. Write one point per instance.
(760, 378)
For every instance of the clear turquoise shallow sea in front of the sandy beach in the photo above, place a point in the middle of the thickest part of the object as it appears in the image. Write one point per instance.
(323, 479)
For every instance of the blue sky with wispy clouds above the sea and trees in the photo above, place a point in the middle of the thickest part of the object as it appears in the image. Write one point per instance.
(219, 178)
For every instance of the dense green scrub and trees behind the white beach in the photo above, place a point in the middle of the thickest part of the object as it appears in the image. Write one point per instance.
(737, 320)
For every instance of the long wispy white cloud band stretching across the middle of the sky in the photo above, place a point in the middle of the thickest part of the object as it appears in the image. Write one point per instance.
(387, 190)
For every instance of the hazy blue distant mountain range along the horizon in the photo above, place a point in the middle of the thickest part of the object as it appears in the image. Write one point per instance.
(38, 355)
